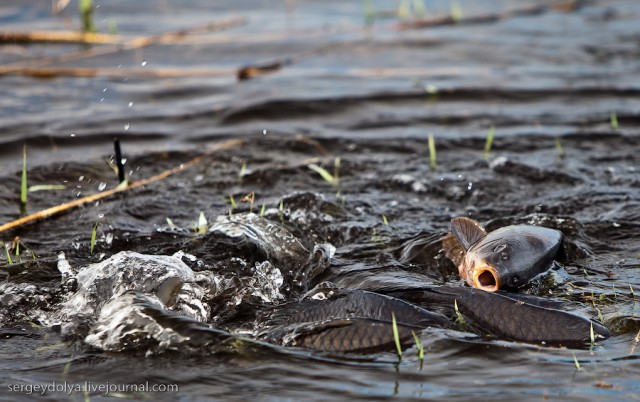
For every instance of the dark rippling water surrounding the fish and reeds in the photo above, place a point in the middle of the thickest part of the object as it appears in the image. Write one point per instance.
(549, 82)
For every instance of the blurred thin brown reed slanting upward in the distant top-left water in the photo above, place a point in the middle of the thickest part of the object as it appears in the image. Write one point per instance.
(118, 47)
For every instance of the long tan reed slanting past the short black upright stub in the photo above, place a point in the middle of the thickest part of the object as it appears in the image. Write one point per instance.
(91, 198)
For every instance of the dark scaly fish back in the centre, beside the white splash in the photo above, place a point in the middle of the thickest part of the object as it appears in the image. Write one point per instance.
(347, 320)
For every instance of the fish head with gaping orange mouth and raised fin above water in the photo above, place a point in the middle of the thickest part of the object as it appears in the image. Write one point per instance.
(506, 258)
